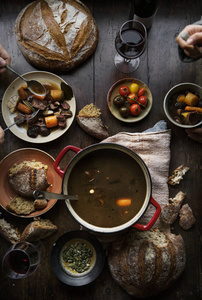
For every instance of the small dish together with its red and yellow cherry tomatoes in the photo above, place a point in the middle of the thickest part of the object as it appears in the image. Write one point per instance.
(129, 100)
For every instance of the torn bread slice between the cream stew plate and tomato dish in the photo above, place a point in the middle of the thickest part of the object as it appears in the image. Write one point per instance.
(89, 119)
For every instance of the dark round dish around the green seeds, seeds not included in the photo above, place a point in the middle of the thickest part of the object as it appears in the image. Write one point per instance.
(73, 278)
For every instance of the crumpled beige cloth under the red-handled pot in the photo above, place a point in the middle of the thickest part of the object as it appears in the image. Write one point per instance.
(154, 149)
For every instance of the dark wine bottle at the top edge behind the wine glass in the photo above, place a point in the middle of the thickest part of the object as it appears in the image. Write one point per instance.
(144, 11)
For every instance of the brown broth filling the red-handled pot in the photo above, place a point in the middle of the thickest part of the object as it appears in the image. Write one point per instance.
(100, 179)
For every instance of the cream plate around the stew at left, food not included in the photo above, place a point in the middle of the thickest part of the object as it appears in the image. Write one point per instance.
(11, 91)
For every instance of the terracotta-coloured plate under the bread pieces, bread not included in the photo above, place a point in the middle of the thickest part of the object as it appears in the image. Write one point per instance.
(18, 156)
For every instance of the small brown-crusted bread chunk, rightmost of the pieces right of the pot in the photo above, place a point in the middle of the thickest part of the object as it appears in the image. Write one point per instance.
(187, 219)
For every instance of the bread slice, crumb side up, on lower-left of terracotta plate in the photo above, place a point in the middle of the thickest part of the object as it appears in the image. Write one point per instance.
(21, 206)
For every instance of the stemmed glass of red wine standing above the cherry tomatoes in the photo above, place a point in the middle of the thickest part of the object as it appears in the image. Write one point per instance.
(130, 43)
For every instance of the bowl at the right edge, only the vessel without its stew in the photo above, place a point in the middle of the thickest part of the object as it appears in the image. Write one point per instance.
(182, 87)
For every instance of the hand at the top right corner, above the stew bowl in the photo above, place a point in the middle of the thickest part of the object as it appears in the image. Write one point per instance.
(195, 33)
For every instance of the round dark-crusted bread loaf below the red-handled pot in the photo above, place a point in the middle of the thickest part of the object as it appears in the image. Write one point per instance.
(146, 263)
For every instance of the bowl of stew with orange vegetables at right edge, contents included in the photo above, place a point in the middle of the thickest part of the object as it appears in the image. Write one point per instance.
(183, 105)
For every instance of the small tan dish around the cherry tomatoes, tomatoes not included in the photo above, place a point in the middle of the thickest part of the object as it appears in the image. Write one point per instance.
(114, 91)
